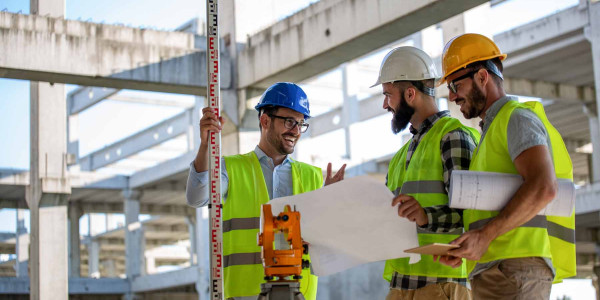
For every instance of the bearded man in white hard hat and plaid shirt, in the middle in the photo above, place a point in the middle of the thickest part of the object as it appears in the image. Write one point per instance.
(419, 173)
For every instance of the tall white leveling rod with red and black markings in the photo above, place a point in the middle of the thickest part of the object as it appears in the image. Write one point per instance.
(214, 155)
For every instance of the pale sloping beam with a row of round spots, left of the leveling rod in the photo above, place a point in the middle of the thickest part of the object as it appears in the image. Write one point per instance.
(138, 142)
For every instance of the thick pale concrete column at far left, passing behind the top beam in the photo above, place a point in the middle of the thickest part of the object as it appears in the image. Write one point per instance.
(49, 187)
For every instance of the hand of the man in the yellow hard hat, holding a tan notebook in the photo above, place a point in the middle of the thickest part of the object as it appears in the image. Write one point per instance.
(473, 245)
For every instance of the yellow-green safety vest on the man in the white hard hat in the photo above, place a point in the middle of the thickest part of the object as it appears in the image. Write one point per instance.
(423, 179)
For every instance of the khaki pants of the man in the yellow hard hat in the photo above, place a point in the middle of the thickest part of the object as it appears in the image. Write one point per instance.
(517, 278)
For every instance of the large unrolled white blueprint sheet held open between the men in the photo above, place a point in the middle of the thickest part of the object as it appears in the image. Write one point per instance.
(350, 223)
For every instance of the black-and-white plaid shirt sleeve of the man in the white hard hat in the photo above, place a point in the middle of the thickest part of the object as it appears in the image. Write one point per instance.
(457, 147)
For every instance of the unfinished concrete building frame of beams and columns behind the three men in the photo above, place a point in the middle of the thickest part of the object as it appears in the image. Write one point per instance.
(556, 58)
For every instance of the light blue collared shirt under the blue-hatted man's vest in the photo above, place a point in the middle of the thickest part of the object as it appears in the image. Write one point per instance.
(277, 178)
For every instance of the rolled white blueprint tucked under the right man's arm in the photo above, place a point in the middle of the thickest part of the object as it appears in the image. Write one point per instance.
(492, 191)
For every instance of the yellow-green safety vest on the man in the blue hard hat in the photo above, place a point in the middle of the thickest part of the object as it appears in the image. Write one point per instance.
(243, 270)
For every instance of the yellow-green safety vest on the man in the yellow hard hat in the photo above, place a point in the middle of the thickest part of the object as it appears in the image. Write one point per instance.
(544, 236)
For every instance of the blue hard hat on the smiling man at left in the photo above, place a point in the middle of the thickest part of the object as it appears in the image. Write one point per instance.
(285, 94)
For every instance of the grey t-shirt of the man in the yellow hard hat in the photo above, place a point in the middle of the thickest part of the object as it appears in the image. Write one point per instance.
(525, 130)
